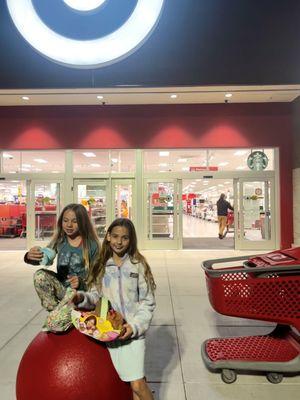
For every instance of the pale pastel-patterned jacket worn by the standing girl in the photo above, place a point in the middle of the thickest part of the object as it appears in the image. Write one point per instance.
(126, 289)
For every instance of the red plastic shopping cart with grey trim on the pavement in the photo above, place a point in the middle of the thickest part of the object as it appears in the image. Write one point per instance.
(265, 287)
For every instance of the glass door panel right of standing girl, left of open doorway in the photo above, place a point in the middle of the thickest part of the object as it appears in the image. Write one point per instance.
(162, 214)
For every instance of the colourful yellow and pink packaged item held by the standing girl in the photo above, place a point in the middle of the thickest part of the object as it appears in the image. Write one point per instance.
(104, 323)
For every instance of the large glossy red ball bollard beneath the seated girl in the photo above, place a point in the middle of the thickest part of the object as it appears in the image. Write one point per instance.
(68, 366)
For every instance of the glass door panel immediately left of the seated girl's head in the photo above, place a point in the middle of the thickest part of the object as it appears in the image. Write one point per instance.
(43, 211)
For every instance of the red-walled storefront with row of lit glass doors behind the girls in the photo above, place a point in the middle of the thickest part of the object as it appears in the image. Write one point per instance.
(136, 161)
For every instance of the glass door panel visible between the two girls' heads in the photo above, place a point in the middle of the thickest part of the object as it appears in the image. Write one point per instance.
(93, 195)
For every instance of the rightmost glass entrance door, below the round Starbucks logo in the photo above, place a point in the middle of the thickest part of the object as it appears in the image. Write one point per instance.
(255, 214)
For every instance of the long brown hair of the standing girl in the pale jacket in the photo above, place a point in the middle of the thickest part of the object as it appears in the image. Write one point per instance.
(97, 271)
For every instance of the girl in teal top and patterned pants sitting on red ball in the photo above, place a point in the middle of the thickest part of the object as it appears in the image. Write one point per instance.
(76, 245)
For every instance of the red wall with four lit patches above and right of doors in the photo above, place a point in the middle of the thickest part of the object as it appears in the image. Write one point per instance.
(158, 126)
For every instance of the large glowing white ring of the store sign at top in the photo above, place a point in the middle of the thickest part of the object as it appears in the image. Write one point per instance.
(85, 53)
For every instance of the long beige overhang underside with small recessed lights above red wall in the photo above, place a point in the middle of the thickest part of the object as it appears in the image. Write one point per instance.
(127, 95)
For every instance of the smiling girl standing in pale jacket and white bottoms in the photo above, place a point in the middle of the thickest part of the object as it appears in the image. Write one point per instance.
(124, 277)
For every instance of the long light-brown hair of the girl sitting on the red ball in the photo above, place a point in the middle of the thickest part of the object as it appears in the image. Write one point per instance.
(85, 228)
